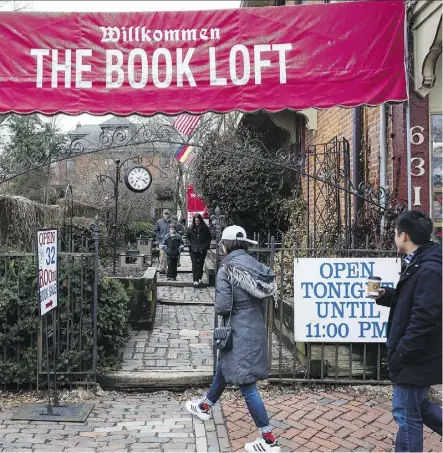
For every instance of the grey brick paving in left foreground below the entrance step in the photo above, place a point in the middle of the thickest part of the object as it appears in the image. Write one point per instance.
(133, 422)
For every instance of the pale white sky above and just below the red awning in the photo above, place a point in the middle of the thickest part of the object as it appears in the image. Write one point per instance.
(66, 122)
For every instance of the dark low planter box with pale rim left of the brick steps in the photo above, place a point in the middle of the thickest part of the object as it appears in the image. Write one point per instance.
(142, 292)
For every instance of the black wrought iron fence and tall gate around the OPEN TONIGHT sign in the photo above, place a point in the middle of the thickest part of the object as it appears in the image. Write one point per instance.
(328, 230)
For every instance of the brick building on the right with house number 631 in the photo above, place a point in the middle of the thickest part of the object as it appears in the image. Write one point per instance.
(377, 135)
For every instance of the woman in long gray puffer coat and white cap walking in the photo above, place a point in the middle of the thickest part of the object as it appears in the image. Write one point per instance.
(242, 284)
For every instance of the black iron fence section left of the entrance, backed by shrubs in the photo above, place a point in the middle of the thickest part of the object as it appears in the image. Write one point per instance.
(22, 331)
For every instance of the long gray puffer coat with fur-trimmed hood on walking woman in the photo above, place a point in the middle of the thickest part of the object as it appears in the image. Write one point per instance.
(251, 282)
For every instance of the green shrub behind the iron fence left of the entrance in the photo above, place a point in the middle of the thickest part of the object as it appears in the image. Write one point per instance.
(20, 322)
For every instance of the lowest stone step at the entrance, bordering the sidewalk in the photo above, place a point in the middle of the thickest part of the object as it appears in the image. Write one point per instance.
(155, 379)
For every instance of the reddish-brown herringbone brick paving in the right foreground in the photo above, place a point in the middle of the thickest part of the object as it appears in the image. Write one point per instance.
(305, 423)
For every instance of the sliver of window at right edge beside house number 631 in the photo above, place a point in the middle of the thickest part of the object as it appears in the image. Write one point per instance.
(437, 173)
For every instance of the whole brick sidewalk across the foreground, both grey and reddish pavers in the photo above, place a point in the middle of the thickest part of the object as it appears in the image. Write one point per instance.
(304, 420)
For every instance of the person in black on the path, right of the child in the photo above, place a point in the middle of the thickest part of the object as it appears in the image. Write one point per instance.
(198, 238)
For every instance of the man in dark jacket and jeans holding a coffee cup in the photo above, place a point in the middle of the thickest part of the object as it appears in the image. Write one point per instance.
(415, 331)
